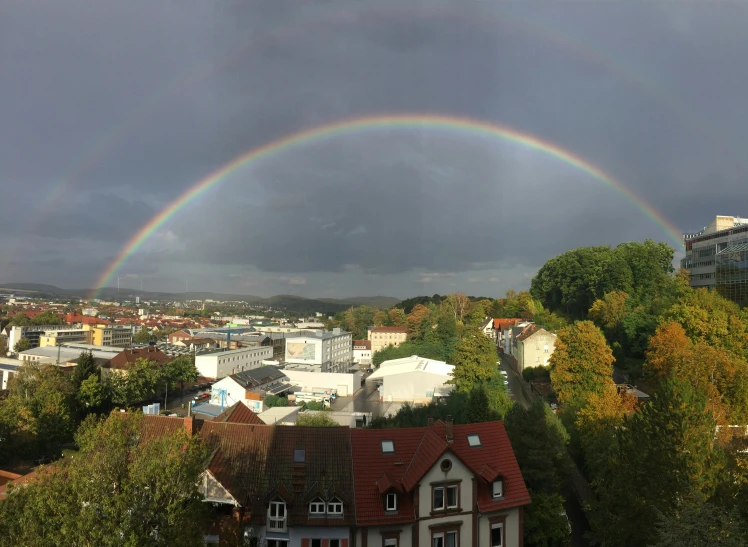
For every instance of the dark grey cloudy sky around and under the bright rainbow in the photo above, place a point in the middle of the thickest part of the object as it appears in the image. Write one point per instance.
(111, 110)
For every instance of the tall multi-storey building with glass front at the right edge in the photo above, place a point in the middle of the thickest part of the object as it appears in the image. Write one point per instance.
(717, 257)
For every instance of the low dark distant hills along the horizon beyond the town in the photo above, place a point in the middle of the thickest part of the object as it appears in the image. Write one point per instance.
(292, 303)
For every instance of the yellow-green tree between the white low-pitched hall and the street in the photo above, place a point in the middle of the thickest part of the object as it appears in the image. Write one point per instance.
(474, 360)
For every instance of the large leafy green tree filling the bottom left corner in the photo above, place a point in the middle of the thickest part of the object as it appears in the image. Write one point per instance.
(121, 490)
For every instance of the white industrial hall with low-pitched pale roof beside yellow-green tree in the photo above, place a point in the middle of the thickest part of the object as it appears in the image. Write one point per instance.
(413, 379)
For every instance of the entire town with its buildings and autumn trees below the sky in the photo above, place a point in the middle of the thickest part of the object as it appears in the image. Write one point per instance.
(458, 419)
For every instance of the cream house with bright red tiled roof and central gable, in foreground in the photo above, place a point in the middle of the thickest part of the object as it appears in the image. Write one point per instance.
(441, 485)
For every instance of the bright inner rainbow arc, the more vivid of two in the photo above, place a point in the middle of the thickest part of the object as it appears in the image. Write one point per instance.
(431, 121)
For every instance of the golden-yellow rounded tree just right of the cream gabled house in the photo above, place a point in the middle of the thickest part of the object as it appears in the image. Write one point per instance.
(581, 364)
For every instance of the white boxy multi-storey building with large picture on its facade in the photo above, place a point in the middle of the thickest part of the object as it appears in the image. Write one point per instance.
(327, 351)
